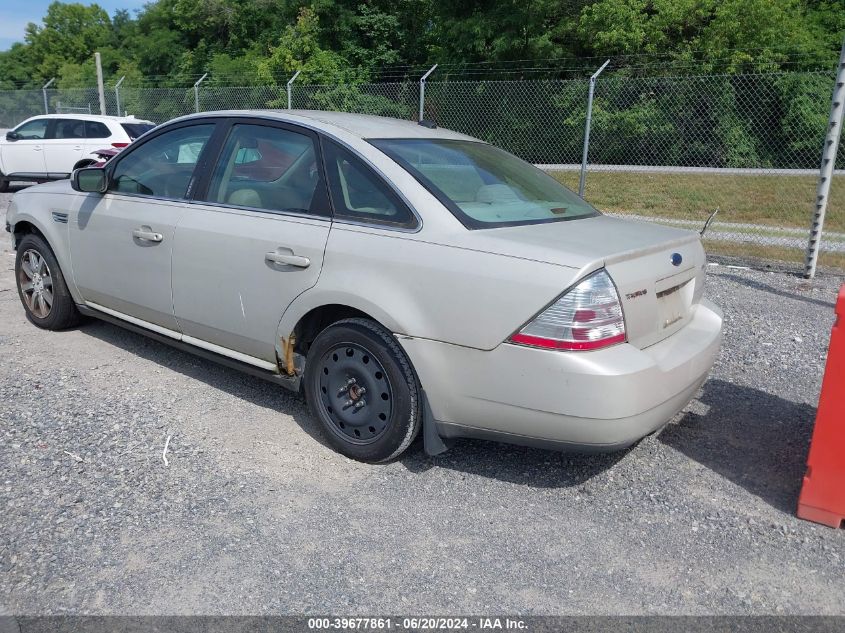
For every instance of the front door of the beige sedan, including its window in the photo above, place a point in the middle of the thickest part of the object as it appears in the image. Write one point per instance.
(121, 241)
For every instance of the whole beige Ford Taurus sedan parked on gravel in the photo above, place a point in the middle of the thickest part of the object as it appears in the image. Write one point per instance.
(402, 276)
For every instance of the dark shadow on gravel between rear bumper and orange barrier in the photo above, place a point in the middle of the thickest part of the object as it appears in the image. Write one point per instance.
(754, 439)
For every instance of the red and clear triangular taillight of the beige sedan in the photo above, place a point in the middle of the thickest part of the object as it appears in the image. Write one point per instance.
(587, 316)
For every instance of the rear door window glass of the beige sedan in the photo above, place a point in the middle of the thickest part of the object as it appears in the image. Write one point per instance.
(267, 168)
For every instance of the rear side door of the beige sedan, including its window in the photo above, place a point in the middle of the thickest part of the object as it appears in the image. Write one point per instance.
(252, 241)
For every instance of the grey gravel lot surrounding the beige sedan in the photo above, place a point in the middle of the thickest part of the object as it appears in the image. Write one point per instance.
(254, 514)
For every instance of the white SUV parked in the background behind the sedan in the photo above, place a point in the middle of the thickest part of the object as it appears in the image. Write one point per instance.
(51, 146)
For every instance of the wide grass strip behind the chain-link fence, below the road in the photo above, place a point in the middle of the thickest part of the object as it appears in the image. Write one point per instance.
(782, 201)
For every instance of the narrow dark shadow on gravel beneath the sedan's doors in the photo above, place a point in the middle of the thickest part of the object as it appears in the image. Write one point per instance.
(250, 388)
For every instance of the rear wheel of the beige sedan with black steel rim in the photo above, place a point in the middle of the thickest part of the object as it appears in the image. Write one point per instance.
(361, 387)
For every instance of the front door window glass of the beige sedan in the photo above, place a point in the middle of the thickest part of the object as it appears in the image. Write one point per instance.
(164, 165)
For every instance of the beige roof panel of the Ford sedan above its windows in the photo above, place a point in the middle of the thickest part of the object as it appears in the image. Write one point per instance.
(365, 126)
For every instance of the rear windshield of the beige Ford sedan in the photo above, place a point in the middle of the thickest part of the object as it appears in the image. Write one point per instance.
(485, 186)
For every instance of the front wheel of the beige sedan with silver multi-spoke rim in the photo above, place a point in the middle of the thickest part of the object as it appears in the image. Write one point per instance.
(41, 286)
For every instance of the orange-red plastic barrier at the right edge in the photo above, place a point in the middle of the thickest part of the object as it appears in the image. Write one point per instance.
(823, 494)
